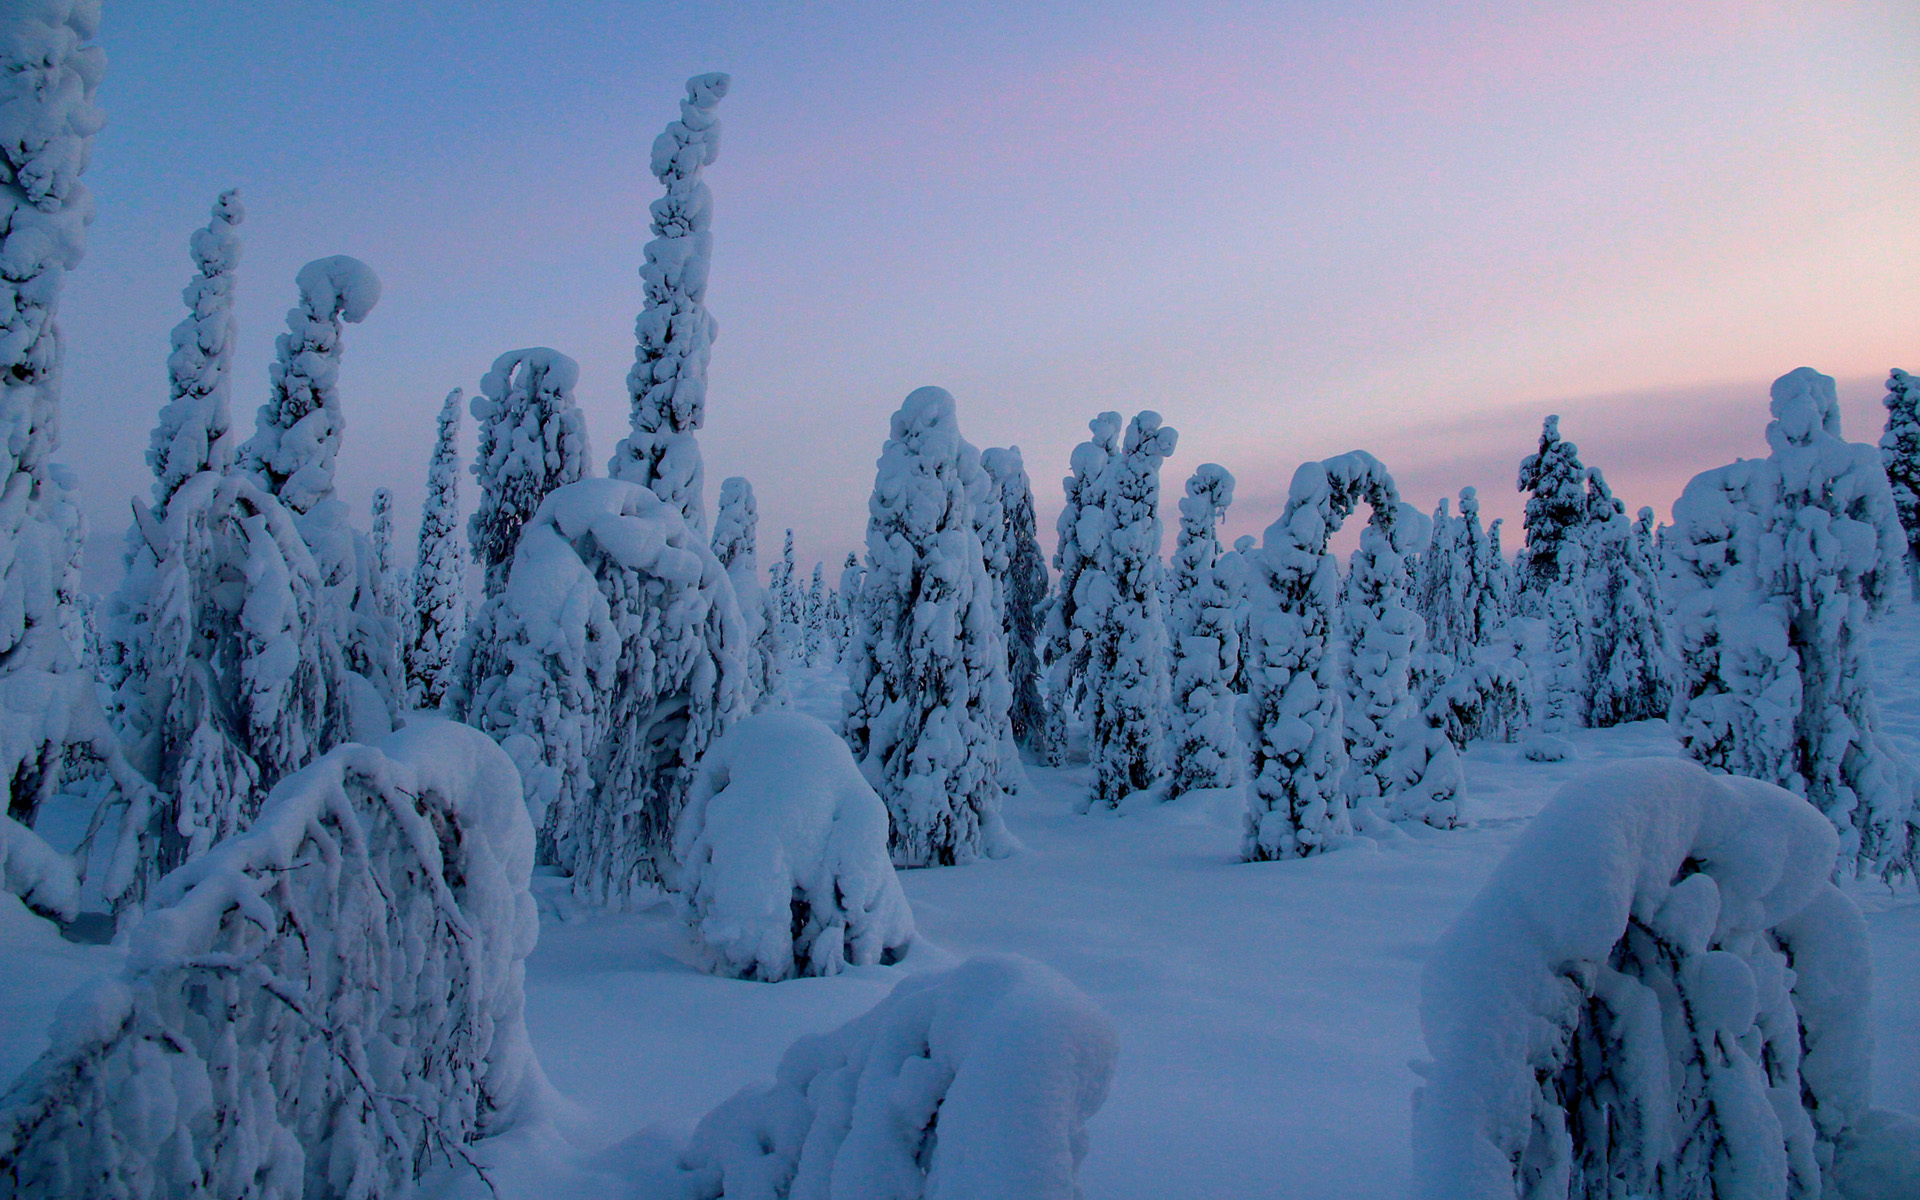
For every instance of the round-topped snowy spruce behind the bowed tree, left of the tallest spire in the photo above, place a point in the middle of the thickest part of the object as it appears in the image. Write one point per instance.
(533, 441)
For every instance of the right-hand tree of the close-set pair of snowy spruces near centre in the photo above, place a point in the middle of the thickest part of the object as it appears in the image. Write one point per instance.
(1124, 621)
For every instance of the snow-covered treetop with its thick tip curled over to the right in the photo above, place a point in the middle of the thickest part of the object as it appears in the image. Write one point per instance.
(297, 435)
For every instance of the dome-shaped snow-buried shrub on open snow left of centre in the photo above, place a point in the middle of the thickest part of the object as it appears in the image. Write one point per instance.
(782, 855)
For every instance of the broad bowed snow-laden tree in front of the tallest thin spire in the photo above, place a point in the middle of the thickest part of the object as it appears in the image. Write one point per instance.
(606, 669)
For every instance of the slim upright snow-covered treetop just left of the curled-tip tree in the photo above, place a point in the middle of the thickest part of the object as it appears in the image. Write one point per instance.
(195, 431)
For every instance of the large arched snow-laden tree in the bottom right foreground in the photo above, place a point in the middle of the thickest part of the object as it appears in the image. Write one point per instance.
(1660, 994)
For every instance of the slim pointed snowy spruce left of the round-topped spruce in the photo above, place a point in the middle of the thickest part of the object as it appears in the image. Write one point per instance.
(439, 617)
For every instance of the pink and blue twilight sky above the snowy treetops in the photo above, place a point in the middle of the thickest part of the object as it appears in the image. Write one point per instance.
(1291, 229)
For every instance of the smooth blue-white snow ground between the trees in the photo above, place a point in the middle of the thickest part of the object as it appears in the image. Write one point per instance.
(1266, 1013)
